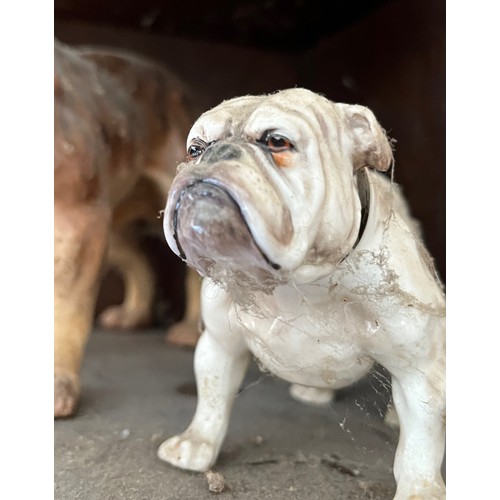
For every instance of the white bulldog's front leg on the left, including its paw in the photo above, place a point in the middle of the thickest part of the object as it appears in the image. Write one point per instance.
(220, 364)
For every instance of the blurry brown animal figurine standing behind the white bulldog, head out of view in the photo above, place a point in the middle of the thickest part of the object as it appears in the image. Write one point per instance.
(120, 127)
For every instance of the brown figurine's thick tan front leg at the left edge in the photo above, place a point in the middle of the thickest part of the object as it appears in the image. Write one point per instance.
(80, 238)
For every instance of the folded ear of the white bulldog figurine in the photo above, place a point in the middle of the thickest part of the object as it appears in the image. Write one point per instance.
(371, 146)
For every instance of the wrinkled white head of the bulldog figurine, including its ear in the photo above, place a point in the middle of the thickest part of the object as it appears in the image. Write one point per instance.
(268, 188)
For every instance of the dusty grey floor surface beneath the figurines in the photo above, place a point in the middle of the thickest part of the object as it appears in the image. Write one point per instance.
(137, 391)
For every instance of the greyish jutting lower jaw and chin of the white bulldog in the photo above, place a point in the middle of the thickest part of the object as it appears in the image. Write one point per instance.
(210, 231)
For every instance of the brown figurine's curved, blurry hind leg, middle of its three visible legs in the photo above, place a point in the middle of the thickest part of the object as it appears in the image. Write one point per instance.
(139, 286)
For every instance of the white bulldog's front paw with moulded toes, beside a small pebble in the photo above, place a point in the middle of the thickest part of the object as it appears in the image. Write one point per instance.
(188, 452)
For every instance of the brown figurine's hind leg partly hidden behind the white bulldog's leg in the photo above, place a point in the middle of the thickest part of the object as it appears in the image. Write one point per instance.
(187, 331)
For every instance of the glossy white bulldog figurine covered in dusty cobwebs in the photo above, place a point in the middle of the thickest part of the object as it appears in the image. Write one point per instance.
(313, 265)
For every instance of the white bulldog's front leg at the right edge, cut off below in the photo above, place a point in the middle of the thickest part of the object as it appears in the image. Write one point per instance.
(419, 398)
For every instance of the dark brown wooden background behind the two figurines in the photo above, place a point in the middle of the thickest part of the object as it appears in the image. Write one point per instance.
(387, 55)
